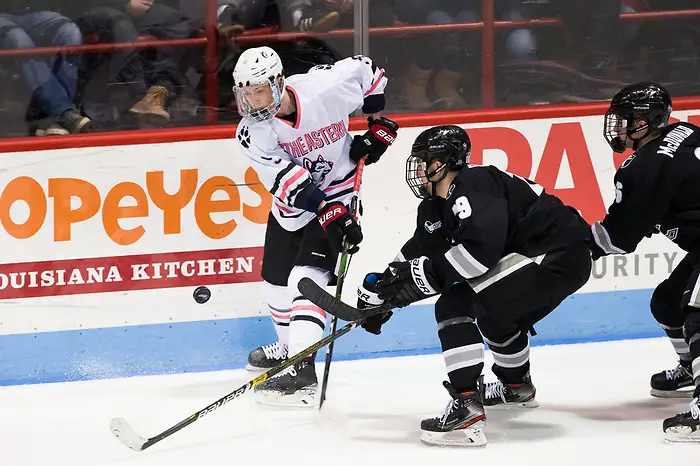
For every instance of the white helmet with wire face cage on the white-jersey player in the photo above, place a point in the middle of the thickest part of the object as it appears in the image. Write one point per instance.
(258, 83)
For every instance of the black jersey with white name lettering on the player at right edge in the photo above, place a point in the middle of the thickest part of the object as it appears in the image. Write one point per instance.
(657, 189)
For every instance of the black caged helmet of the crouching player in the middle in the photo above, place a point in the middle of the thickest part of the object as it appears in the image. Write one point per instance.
(449, 144)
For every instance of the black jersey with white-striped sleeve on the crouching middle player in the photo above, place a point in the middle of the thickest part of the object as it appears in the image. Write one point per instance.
(487, 215)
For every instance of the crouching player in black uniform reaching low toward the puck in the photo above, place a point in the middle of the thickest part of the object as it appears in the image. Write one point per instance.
(502, 253)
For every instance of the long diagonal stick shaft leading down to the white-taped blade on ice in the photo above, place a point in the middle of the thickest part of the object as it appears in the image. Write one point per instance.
(251, 384)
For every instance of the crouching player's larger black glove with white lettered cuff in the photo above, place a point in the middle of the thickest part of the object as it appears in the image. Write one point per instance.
(411, 281)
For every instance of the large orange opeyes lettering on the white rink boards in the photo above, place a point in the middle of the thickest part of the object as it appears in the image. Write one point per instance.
(92, 206)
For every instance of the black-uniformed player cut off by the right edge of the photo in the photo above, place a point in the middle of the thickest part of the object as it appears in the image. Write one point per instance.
(657, 190)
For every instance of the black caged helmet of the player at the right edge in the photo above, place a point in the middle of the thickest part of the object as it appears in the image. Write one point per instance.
(641, 101)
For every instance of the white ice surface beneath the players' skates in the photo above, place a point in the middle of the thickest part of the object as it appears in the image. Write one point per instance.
(595, 409)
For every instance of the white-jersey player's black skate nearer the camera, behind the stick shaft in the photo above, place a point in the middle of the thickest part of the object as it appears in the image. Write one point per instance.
(295, 387)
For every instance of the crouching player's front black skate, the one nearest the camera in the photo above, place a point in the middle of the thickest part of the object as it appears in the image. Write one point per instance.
(461, 424)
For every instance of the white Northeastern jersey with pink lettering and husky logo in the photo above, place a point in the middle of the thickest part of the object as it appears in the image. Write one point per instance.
(315, 149)
